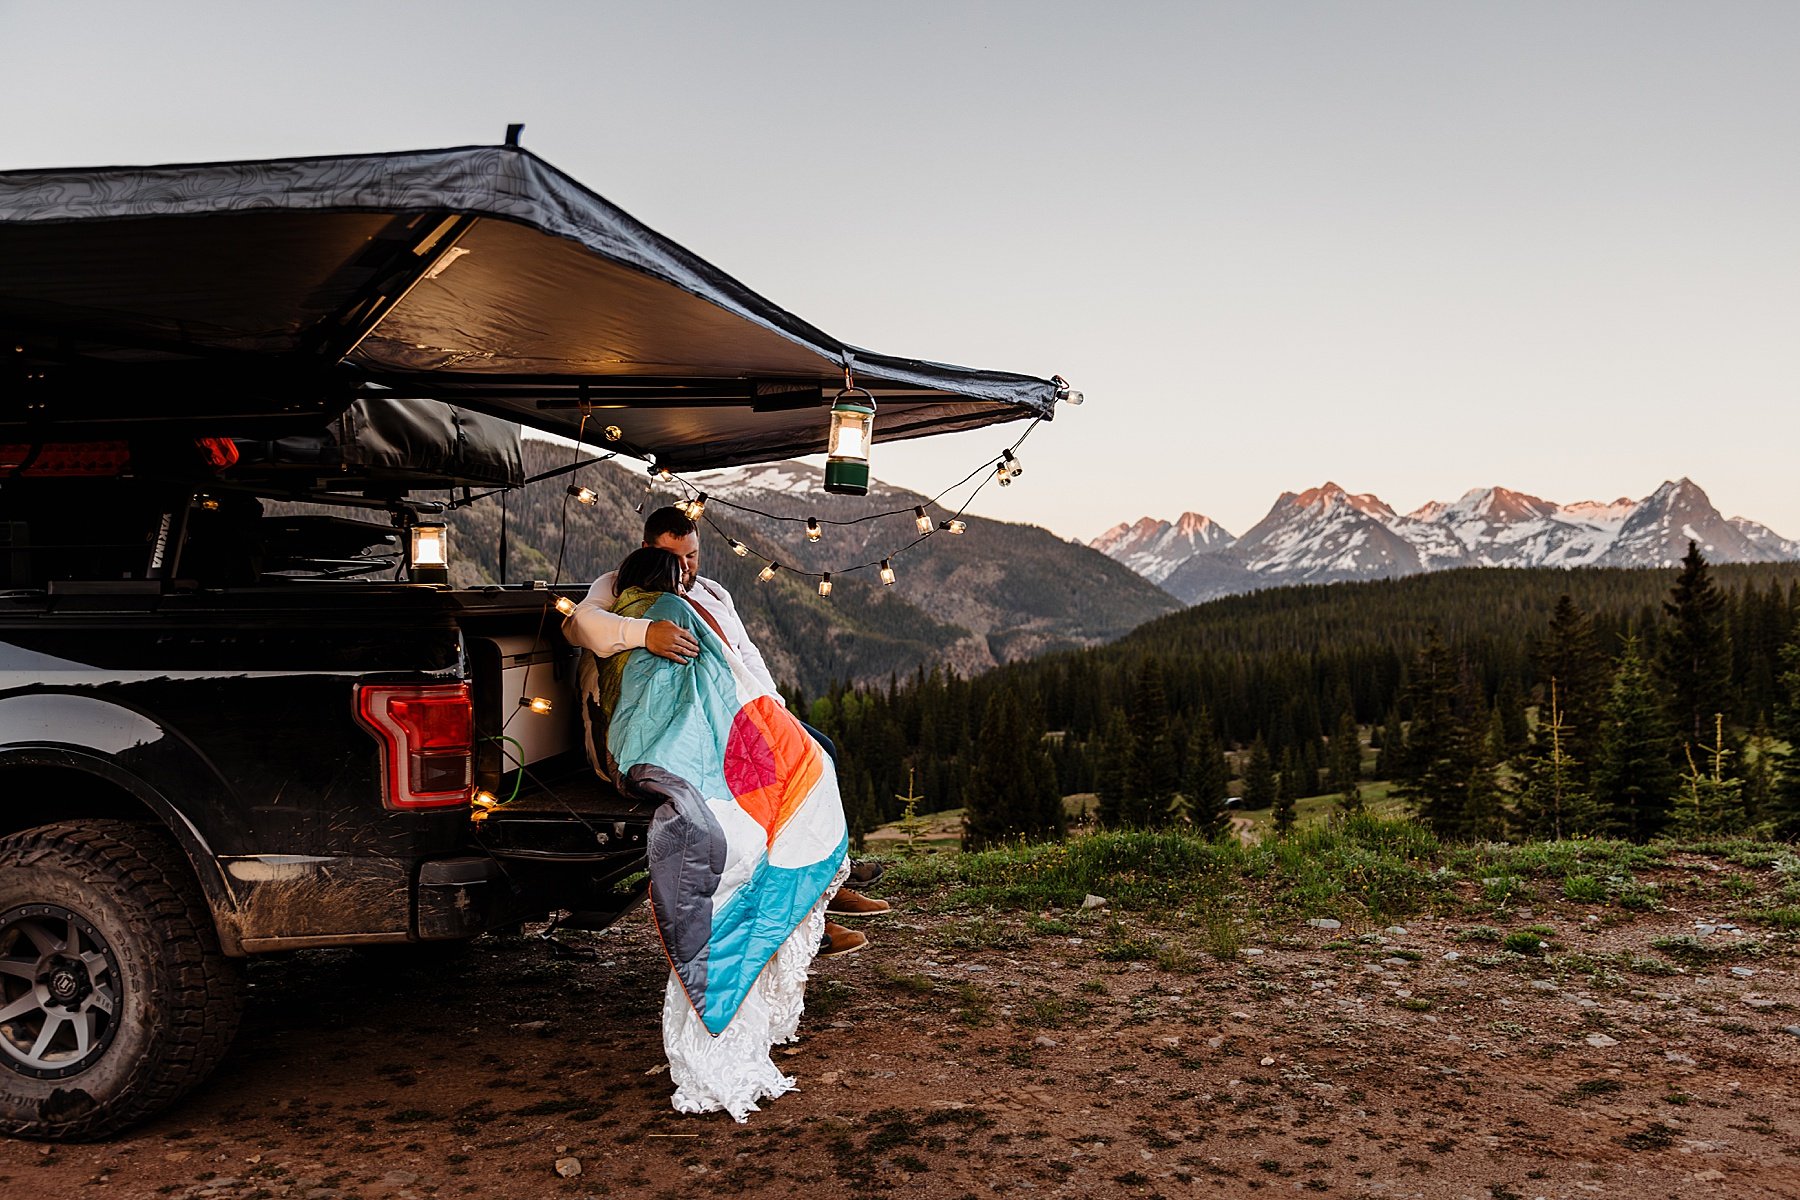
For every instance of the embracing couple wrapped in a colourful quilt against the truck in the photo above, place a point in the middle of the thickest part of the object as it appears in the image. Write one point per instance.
(750, 843)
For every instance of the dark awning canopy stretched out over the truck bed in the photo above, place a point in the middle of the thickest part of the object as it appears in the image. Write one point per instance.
(258, 298)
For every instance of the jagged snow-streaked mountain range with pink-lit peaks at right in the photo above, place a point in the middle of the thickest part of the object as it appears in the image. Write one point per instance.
(1326, 535)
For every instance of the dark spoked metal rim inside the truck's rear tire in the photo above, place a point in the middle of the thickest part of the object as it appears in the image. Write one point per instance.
(60, 992)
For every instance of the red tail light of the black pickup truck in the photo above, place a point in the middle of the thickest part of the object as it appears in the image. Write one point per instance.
(427, 735)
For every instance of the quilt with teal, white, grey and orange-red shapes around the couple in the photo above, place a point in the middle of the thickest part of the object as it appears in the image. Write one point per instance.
(750, 828)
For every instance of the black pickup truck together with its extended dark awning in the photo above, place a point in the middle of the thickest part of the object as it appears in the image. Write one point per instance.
(242, 708)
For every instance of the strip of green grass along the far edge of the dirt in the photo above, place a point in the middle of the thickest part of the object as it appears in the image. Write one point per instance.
(1351, 868)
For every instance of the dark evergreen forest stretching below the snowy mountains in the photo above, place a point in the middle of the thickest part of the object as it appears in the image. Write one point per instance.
(1497, 703)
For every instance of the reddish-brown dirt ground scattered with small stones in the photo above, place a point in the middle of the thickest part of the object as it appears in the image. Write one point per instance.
(978, 1055)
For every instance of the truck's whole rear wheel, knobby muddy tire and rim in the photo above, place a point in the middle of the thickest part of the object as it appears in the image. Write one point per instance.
(114, 994)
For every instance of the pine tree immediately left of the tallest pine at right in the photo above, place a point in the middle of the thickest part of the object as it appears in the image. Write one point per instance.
(1633, 782)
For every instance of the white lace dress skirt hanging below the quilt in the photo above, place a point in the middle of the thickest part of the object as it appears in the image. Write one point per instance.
(735, 1071)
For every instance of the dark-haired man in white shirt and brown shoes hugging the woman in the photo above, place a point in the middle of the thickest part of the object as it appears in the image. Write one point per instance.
(607, 634)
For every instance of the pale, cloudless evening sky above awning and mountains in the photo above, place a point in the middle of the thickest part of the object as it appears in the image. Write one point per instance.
(1408, 247)
